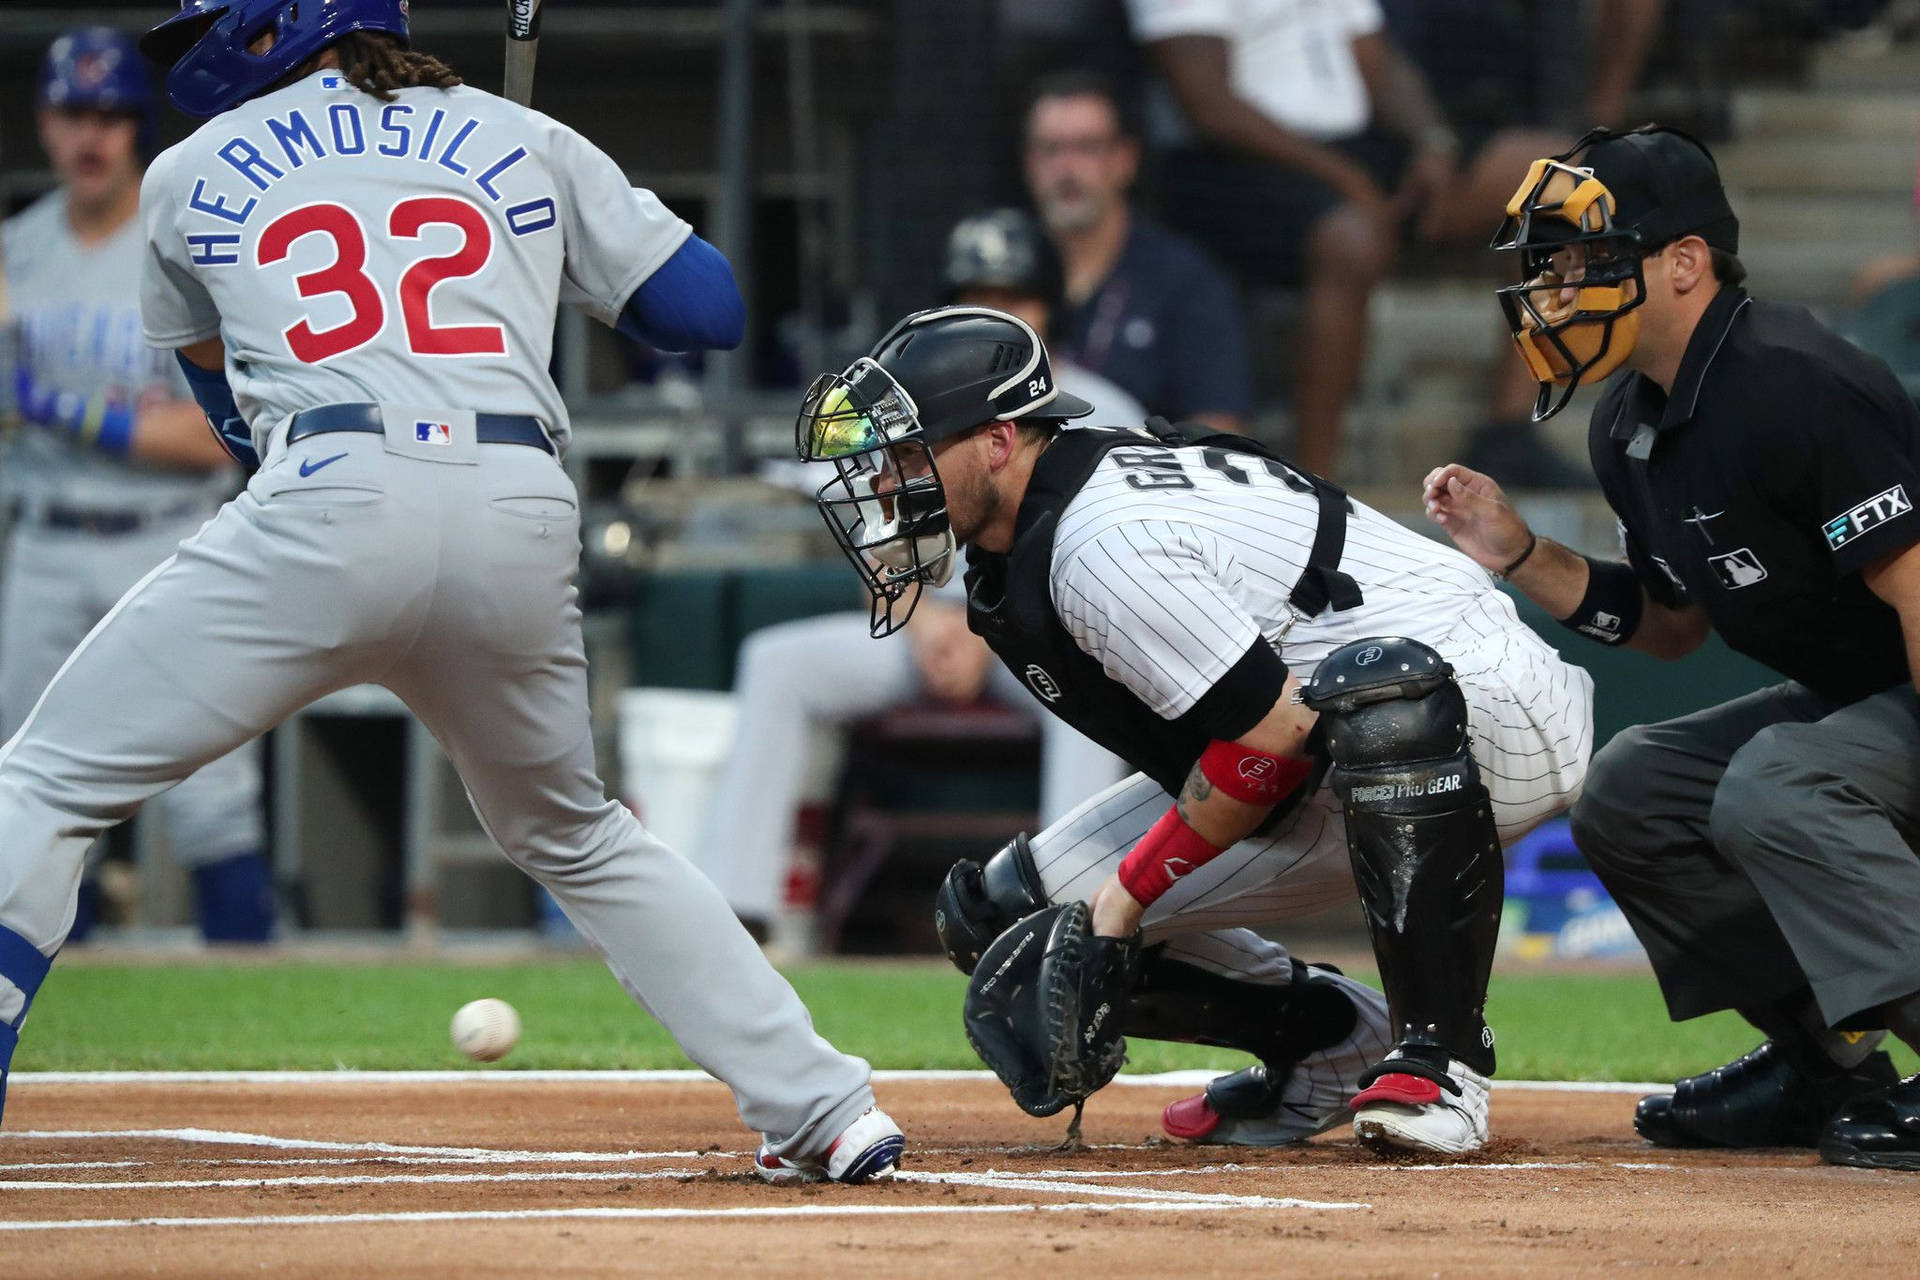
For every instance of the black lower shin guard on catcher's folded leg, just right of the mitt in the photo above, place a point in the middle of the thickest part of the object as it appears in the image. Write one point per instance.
(1280, 1026)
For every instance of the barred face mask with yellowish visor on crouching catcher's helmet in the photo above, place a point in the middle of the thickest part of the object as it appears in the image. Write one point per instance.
(886, 504)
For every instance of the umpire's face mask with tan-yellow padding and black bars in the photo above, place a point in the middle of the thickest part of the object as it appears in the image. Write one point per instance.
(1573, 314)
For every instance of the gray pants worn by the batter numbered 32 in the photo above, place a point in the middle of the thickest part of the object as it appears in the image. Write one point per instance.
(452, 586)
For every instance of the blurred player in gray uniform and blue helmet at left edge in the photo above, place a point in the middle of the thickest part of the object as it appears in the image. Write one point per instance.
(114, 463)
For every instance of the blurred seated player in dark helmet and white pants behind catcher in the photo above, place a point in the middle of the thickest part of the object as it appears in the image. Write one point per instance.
(994, 260)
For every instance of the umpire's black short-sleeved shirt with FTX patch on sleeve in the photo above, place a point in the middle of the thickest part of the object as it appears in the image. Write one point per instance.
(1785, 463)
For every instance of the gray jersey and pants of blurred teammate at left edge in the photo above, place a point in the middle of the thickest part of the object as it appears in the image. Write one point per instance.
(91, 525)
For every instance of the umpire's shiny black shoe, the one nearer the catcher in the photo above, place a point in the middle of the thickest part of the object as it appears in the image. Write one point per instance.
(1764, 1101)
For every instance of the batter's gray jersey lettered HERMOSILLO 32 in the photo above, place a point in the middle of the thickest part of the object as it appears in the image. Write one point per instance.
(433, 252)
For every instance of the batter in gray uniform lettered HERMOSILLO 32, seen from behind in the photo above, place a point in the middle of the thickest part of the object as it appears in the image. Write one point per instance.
(360, 264)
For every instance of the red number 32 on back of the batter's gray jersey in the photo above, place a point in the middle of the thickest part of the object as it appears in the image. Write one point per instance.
(348, 277)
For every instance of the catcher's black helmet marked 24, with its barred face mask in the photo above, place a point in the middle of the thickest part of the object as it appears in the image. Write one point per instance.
(936, 375)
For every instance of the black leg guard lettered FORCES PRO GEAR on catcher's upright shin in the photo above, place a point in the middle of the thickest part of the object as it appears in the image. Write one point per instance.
(1420, 828)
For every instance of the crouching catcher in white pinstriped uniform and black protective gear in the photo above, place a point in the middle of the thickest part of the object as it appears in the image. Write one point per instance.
(1228, 625)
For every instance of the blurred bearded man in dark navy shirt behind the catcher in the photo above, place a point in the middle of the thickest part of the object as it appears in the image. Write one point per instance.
(1145, 308)
